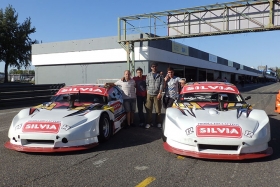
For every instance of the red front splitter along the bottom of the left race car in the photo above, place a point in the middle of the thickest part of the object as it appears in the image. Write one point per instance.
(22, 148)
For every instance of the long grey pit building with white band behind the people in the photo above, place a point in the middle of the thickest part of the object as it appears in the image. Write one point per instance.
(93, 60)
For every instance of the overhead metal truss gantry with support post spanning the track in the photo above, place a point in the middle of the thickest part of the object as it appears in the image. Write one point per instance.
(241, 16)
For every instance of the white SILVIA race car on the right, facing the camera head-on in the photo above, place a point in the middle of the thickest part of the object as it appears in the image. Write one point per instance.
(212, 120)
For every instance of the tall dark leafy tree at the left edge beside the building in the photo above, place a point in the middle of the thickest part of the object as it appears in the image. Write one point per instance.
(15, 41)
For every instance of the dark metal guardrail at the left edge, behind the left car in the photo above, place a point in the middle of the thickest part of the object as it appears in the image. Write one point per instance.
(23, 94)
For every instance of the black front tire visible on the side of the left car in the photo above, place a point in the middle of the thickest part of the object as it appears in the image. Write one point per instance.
(105, 129)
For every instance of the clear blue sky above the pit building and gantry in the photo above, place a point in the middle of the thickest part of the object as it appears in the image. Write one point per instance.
(63, 20)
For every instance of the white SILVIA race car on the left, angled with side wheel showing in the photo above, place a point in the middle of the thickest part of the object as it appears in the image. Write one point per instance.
(78, 117)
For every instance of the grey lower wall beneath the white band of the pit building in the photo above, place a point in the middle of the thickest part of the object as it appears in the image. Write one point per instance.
(82, 73)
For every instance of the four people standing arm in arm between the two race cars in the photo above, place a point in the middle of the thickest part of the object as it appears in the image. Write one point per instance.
(149, 89)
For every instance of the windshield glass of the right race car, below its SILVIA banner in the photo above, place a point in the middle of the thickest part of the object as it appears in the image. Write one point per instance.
(209, 97)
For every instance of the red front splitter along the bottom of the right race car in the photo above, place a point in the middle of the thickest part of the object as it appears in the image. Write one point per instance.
(216, 156)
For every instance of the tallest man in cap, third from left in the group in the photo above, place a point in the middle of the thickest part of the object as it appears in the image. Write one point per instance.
(154, 82)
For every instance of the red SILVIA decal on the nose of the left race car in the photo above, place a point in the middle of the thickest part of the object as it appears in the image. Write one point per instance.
(41, 126)
